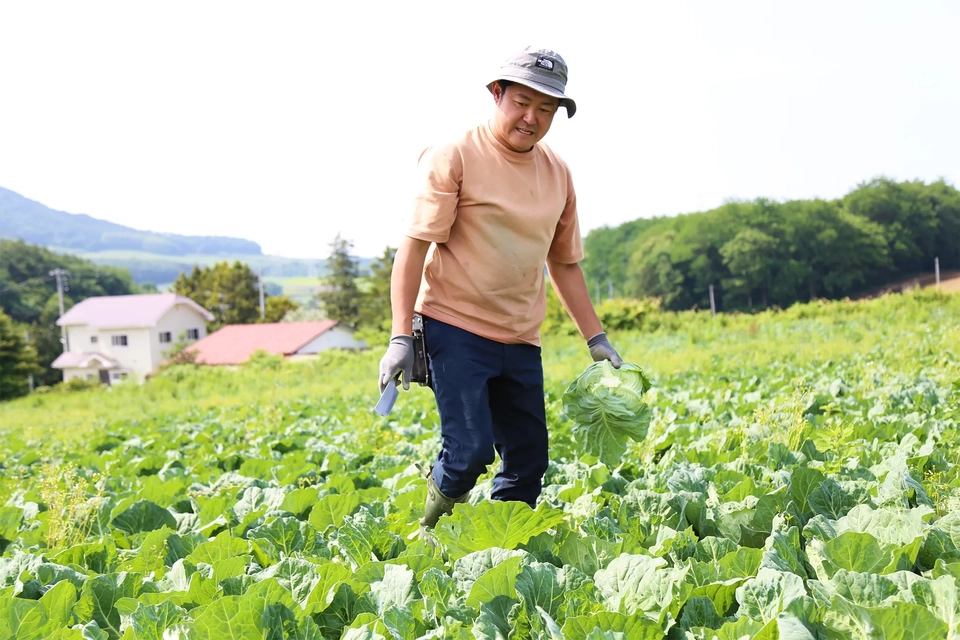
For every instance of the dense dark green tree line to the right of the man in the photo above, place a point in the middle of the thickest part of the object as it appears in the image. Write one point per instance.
(769, 253)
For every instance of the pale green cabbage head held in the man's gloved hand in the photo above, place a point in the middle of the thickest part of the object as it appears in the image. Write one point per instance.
(607, 409)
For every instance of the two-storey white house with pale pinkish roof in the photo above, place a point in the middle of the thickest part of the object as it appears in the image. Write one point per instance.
(113, 337)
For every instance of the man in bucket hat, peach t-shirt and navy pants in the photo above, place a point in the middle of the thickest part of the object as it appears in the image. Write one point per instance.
(492, 209)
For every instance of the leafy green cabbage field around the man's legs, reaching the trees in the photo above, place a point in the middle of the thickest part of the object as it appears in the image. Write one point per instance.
(797, 476)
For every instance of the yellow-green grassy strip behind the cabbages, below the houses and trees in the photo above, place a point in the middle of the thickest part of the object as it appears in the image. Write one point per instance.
(811, 334)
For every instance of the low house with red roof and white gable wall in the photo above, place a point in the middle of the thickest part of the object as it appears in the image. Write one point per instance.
(234, 344)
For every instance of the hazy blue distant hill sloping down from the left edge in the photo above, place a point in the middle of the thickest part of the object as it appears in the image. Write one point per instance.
(25, 219)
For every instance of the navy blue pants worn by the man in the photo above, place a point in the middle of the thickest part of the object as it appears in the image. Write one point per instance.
(490, 398)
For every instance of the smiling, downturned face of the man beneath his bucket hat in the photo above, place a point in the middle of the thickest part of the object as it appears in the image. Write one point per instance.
(523, 116)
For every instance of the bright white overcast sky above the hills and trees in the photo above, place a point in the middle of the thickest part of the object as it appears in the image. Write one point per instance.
(288, 123)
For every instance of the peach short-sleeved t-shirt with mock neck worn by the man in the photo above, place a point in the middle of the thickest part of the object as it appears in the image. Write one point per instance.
(494, 216)
